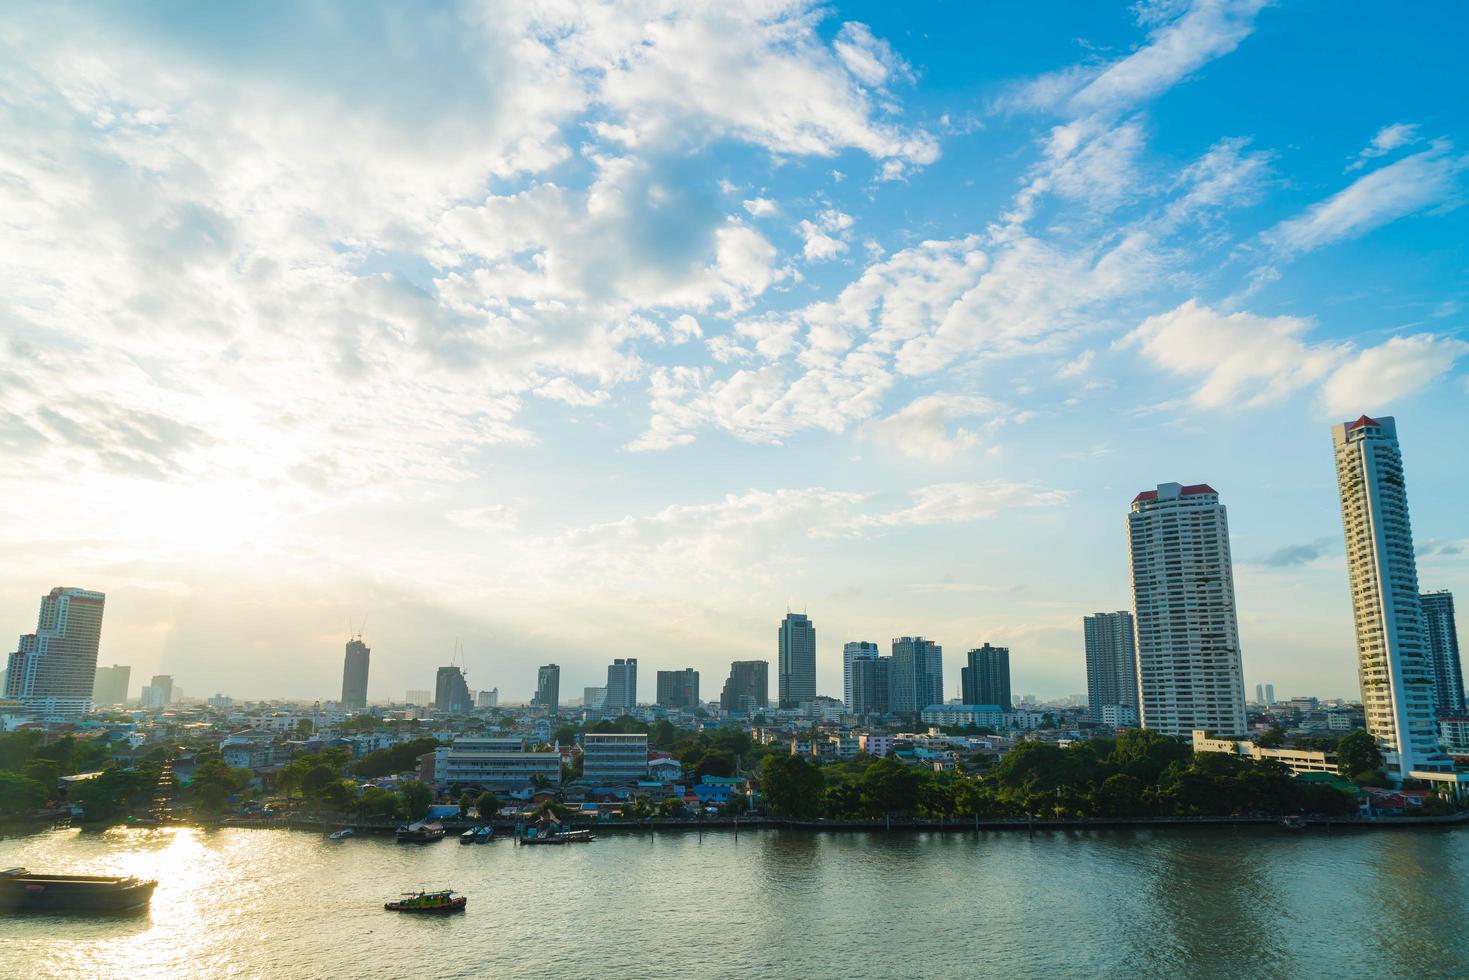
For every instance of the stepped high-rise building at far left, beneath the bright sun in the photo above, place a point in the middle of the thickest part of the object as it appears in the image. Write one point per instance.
(55, 668)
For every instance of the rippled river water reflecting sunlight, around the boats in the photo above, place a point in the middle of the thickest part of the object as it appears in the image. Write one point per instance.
(769, 904)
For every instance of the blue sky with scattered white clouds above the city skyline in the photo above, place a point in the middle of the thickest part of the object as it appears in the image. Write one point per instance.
(574, 331)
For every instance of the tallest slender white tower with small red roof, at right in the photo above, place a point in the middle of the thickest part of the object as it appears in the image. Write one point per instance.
(1393, 662)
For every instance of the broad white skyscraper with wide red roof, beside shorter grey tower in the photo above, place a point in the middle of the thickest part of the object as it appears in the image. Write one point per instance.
(1183, 600)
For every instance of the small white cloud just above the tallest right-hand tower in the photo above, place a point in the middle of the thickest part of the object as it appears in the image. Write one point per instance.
(1379, 377)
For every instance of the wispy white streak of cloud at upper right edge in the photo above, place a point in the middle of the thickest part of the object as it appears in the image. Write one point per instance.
(1407, 187)
